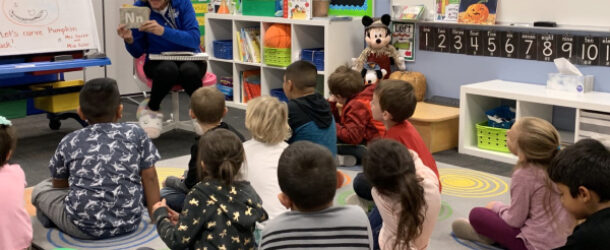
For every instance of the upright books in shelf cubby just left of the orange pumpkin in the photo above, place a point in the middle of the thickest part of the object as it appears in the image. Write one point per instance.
(248, 42)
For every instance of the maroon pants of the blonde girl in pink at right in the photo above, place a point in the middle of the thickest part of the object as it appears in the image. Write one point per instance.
(488, 223)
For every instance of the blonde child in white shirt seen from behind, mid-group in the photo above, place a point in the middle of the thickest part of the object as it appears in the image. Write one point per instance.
(267, 121)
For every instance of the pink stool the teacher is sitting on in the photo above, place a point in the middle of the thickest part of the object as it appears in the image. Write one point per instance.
(174, 122)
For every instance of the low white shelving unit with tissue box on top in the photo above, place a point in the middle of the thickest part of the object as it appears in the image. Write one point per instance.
(530, 100)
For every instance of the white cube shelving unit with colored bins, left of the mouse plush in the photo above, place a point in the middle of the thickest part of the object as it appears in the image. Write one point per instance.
(341, 39)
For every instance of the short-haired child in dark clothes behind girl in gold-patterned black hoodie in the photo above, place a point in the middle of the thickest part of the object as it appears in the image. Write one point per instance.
(208, 108)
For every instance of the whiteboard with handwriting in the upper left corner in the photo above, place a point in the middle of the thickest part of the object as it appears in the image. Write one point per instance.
(40, 26)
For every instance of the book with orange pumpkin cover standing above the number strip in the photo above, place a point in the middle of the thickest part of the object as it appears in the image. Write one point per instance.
(478, 12)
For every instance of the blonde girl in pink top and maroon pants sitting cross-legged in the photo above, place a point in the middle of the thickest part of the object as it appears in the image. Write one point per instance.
(535, 218)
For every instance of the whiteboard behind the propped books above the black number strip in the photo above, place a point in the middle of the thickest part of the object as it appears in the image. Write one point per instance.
(563, 12)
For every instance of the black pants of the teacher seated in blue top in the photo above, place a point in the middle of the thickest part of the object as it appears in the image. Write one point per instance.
(166, 74)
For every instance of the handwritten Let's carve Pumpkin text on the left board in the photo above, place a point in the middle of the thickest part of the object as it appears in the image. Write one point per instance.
(68, 35)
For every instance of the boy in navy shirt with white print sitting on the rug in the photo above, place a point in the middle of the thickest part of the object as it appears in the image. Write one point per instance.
(100, 172)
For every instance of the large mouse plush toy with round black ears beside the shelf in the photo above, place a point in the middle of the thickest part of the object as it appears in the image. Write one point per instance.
(379, 50)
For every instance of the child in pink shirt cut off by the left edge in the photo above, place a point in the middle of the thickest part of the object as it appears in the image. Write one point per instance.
(15, 224)
